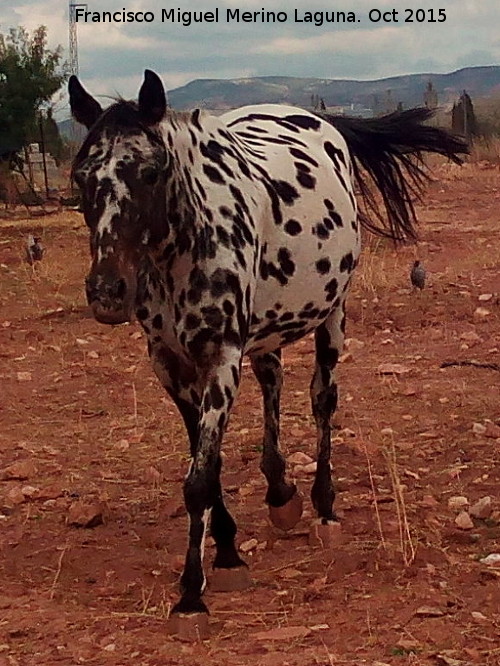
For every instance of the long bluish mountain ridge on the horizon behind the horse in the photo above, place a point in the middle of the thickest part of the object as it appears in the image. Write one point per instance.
(378, 94)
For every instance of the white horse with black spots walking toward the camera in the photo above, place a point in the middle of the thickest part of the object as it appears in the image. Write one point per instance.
(235, 235)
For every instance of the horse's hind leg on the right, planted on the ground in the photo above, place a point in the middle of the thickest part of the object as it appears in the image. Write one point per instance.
(329, 339)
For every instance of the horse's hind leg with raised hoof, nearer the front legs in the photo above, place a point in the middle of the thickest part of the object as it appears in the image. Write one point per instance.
(285, 503)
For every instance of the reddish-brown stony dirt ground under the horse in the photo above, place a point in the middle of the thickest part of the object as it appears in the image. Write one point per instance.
(80, 406)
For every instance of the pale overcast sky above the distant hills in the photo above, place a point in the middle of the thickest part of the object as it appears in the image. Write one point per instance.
(113, 56)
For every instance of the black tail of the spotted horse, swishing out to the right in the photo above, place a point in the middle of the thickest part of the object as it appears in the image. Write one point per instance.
(390, 150)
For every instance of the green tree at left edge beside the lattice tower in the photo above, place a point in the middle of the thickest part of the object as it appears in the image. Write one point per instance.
(30, 74)
